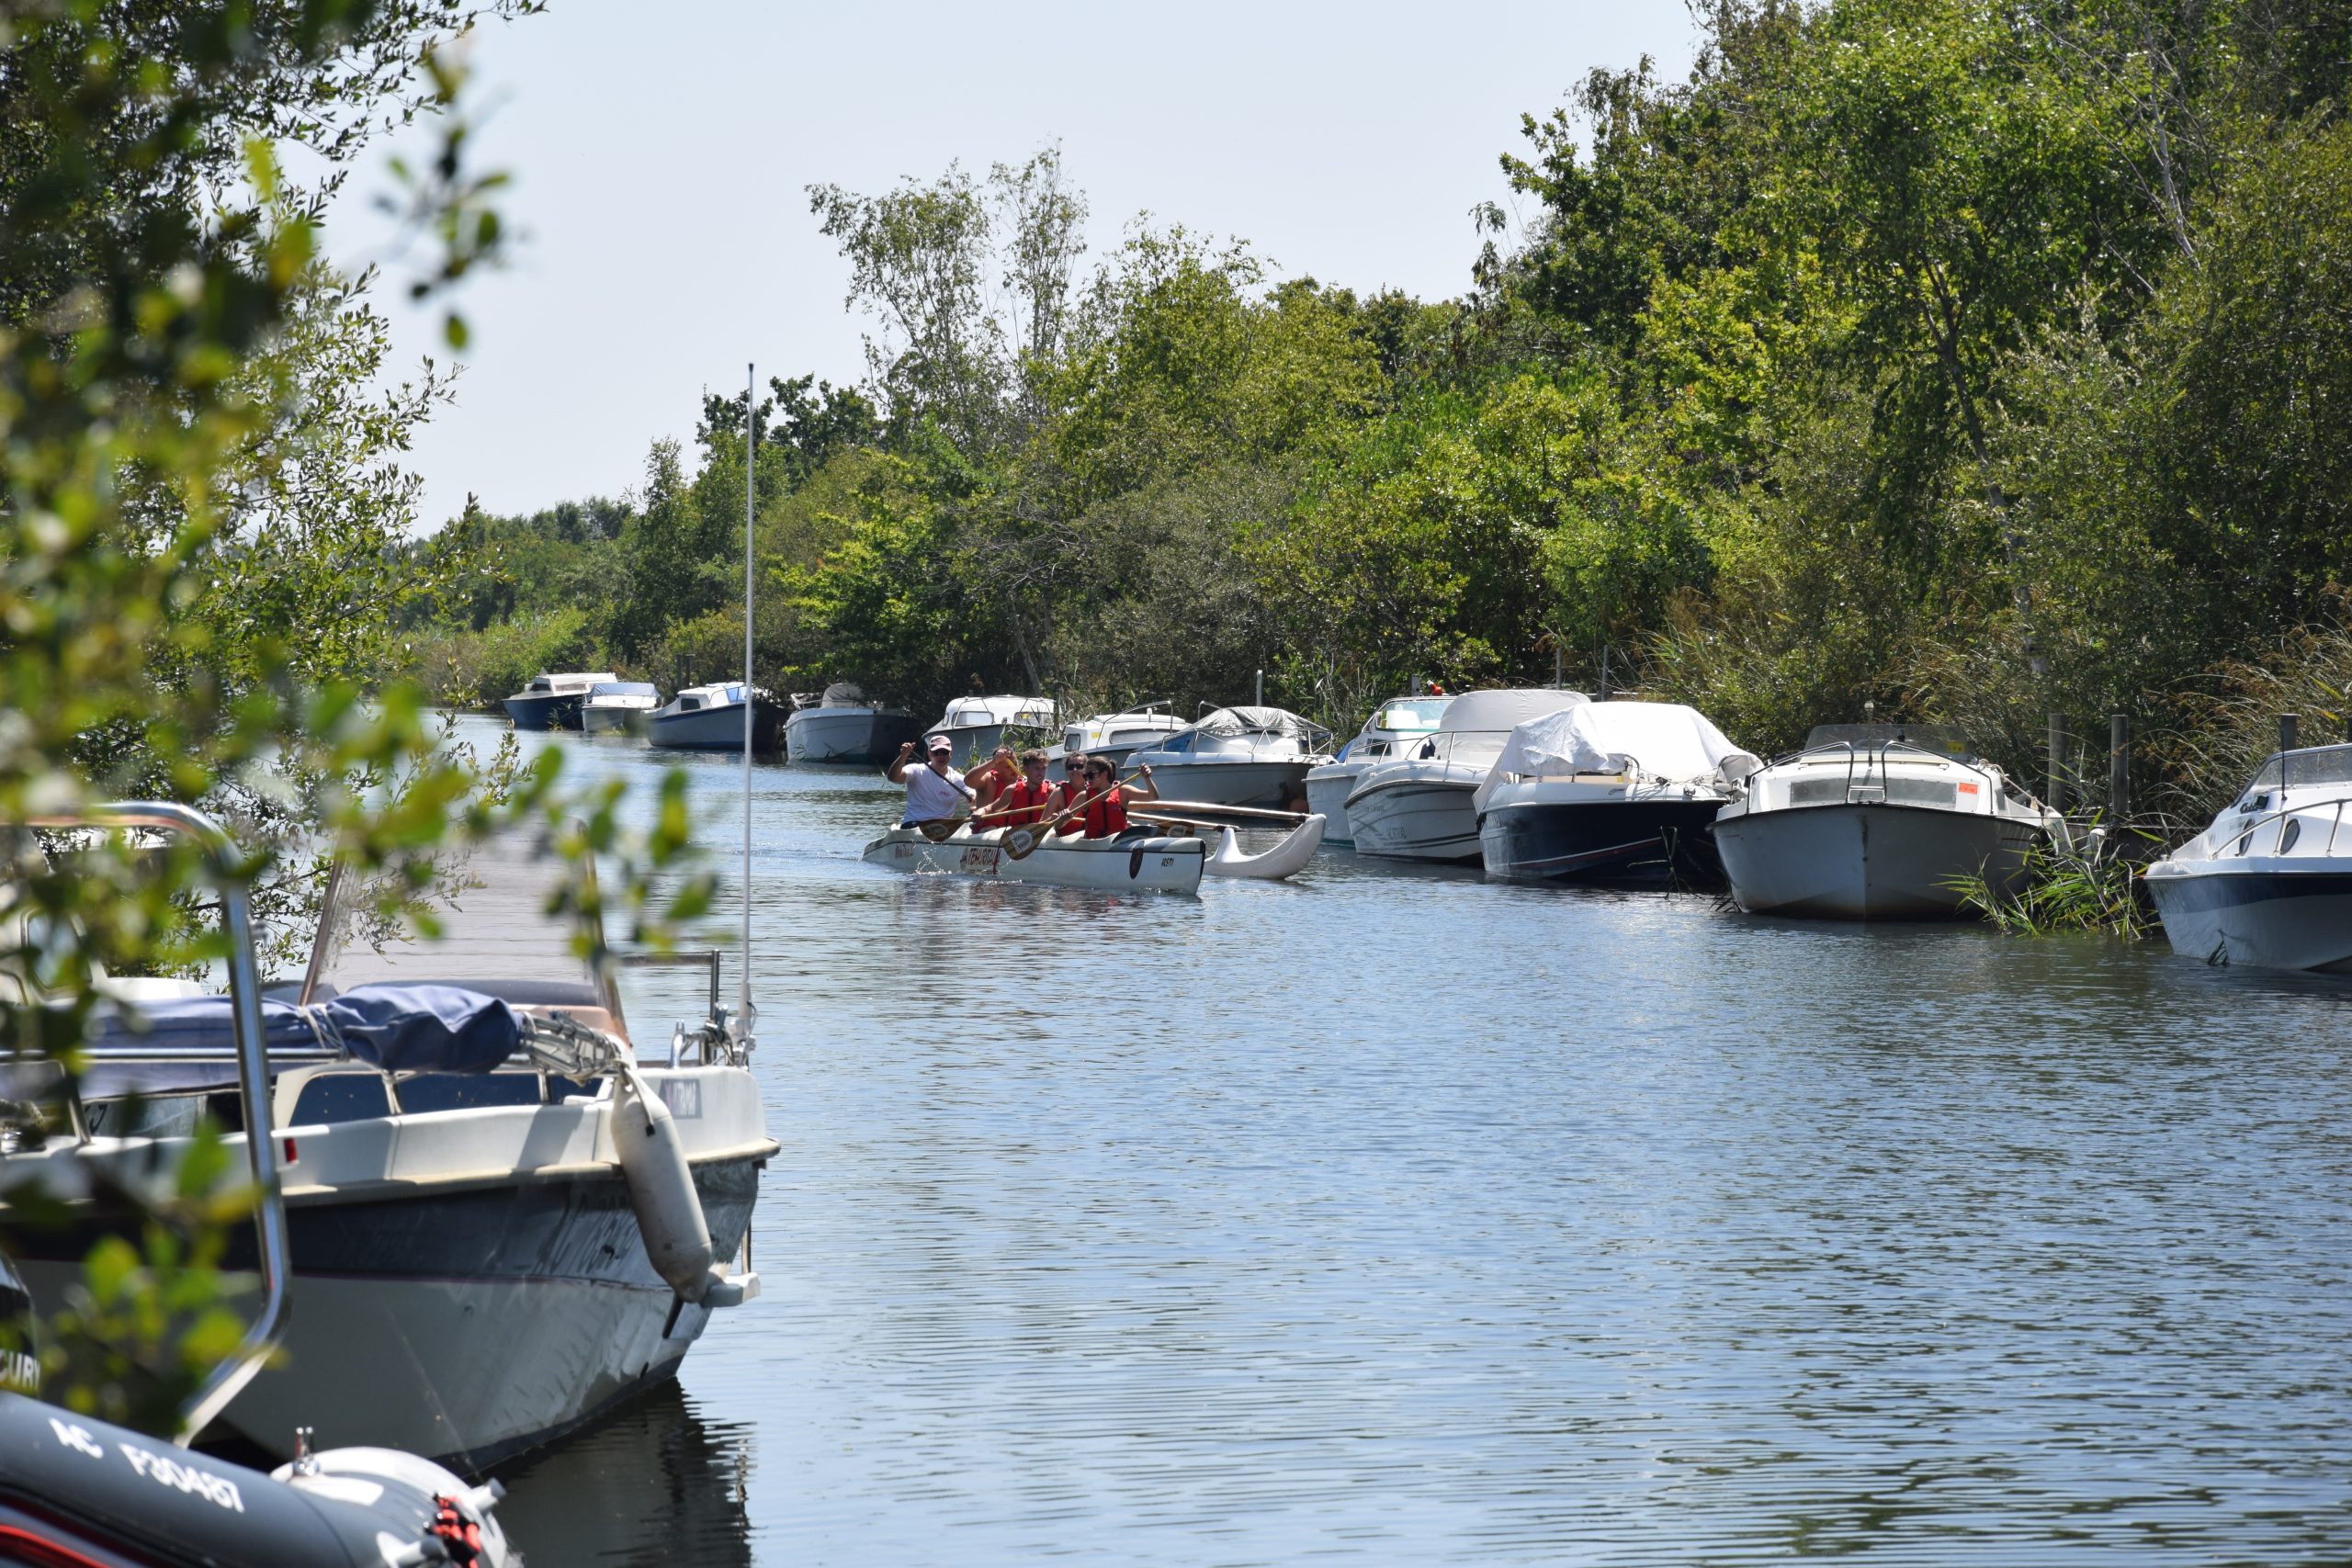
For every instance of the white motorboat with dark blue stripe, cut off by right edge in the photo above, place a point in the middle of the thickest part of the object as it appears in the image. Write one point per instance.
(2269, 883)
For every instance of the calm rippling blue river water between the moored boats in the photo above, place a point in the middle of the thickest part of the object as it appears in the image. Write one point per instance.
(1401, 1219)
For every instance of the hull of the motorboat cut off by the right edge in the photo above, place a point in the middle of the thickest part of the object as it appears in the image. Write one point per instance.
(2257, 916)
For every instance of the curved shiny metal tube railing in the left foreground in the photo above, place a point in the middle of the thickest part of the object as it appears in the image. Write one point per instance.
(262, 1336)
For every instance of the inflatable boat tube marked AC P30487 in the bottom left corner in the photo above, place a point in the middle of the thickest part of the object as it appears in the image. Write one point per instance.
(83, 1492)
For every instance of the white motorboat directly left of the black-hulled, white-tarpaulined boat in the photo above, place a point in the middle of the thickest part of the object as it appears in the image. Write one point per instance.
(1415, 805)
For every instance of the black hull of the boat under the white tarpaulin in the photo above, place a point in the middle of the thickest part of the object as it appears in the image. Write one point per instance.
(1652, 843)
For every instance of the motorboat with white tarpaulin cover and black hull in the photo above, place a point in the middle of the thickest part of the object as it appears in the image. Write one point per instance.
(1610, 793)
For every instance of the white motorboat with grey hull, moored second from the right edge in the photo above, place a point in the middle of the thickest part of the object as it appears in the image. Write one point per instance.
(1876, 822)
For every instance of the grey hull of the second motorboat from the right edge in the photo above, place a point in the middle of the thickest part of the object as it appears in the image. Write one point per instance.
(1866, 862)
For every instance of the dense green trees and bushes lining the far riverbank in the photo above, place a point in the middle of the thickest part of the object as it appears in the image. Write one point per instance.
(1979, 361)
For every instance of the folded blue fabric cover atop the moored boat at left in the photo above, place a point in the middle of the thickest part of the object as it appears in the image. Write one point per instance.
(399, 1028)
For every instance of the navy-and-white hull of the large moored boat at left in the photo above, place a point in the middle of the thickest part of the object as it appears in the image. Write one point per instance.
(465, 1325)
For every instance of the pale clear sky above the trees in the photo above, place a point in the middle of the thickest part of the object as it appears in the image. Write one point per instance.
(662, 159)
